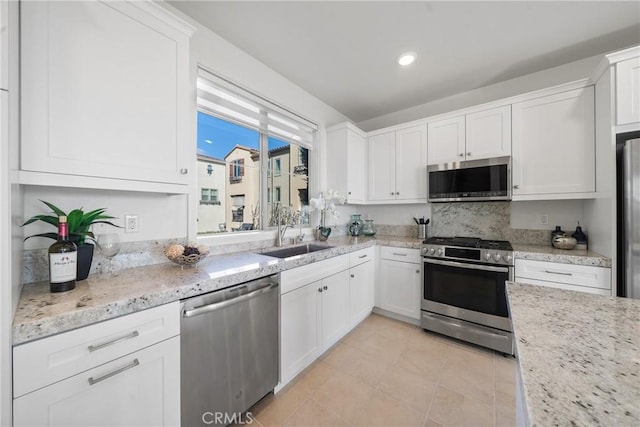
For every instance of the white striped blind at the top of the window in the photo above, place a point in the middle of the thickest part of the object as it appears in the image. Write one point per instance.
(224, 99)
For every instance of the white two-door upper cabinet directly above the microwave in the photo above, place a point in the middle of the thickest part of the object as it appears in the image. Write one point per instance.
(480, 135)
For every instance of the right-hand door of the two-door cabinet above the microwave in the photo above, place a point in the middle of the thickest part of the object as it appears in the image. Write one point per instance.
(488, 133)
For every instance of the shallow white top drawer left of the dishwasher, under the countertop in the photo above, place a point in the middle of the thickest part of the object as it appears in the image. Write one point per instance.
(45, 361)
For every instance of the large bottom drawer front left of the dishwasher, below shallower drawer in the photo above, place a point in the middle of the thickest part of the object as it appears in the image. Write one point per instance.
(142, 388)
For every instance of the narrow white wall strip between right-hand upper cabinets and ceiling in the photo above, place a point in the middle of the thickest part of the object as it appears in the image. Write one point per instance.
(543, 79)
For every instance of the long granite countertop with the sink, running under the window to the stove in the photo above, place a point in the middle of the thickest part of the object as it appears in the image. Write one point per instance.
(41, 313)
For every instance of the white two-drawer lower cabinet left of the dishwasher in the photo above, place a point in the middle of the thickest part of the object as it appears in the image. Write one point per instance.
(121, 372)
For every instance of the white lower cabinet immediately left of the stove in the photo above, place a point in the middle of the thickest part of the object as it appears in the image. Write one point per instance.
(400, 281)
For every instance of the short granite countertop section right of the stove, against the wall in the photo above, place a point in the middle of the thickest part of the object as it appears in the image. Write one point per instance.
(551, 254)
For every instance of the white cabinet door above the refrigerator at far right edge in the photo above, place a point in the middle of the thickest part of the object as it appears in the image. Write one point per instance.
(628, 91)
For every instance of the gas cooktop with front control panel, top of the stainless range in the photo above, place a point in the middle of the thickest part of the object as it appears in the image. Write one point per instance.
(470, 249)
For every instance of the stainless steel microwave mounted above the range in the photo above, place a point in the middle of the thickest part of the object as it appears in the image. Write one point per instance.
(474, 180)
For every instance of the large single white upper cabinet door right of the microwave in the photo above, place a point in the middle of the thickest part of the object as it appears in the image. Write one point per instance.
(553, 144)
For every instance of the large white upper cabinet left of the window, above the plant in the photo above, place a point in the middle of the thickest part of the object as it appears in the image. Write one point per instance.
(105, 93)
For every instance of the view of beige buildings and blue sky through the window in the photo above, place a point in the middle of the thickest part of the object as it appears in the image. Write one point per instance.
(229, 181)
